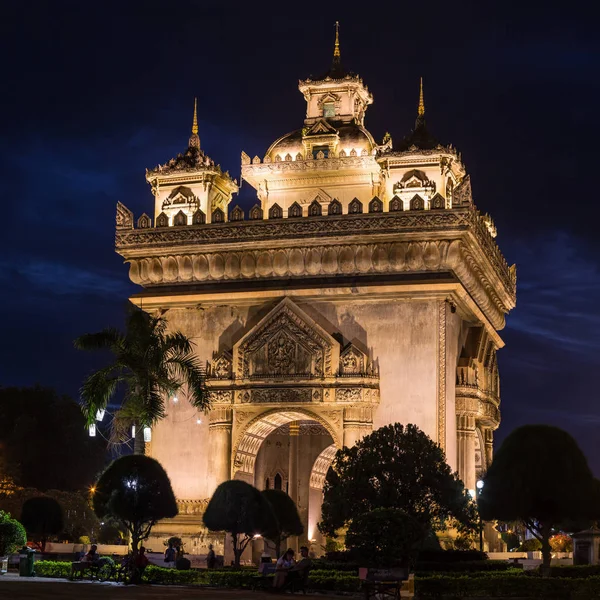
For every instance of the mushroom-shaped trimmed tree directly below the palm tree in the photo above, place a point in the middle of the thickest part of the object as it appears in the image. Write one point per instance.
(135, 491)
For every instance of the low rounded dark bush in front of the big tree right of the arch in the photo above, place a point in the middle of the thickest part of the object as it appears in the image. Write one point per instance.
(384, 537)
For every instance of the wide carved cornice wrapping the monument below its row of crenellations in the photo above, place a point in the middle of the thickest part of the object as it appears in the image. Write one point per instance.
(376, 244)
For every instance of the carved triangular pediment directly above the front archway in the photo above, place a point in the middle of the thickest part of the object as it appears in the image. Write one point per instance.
(287, 342)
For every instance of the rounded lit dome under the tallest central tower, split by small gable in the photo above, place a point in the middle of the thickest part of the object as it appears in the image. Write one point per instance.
(350, 137)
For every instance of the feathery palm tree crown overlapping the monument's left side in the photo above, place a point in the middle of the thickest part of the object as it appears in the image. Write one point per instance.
(150, 365)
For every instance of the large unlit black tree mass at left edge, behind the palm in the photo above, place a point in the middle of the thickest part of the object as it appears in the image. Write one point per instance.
(43, 443)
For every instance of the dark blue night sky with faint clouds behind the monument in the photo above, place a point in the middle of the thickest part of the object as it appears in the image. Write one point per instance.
(93, 93)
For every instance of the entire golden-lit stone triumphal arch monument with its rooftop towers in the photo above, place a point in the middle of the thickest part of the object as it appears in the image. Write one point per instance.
(363, 288)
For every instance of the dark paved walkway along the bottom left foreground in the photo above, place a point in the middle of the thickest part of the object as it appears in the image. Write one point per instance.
(34, 588)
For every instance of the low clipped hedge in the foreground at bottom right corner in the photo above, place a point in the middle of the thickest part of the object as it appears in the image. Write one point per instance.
(506, 586)
